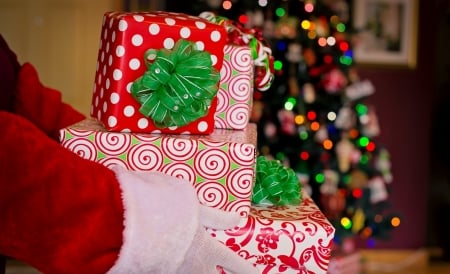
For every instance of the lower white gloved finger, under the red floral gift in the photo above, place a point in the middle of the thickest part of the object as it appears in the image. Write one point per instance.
(219, 254)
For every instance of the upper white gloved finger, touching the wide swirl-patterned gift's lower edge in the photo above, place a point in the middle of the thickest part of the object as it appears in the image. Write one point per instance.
(218, 219)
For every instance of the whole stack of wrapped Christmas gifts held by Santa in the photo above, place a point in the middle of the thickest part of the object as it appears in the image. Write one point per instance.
(173, 94)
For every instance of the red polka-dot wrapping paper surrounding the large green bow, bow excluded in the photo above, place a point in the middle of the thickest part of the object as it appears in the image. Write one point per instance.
(125, 37)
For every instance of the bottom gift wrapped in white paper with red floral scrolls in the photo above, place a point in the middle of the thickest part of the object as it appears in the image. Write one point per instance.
(282, 239)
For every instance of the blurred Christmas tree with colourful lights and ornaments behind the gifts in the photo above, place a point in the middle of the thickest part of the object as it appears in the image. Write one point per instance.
(315, 118)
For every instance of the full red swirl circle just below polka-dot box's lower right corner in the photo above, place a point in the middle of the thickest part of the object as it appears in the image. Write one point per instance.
(212, 163)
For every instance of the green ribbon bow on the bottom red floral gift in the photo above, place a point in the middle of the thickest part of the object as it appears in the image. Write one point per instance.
(275, 184)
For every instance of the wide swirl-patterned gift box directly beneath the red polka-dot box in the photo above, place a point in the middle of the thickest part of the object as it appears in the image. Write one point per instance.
(221, 165)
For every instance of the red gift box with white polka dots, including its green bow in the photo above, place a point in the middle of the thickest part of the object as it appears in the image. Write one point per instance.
(158, 72)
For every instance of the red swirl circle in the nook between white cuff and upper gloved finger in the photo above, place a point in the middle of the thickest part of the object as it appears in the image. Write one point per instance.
(212, 194)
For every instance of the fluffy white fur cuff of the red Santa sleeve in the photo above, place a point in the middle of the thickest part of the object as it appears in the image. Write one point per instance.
(161, 217)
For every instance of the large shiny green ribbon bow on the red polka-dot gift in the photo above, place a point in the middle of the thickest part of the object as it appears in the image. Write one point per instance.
(178, 86)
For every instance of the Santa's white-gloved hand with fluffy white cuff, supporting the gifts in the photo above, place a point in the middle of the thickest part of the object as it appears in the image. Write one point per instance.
(165, 228)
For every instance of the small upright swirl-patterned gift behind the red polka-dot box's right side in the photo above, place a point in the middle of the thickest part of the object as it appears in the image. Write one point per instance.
(235, 88)
